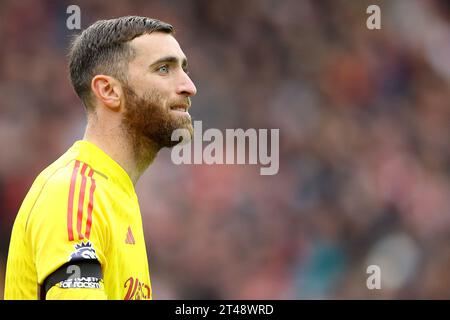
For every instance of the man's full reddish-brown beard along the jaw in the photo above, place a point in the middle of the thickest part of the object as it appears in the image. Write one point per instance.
(149, 124)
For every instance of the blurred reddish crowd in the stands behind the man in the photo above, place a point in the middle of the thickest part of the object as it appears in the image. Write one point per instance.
(364, 123)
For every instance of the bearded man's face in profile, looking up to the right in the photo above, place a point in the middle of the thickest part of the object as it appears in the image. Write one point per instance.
(157, 95)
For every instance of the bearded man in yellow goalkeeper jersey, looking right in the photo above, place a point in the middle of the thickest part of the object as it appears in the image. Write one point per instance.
(78, 233)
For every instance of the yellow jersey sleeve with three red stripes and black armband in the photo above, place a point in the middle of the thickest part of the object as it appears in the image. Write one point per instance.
(67, 225)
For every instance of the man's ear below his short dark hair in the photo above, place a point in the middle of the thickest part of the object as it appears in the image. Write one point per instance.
(108, 90)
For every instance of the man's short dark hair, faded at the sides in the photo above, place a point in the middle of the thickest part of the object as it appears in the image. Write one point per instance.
(103, 48)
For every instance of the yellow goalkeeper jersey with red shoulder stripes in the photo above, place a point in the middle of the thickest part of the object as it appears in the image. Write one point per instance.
(83, 207)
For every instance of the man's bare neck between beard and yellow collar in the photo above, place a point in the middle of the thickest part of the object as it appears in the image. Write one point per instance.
(133, 155)
